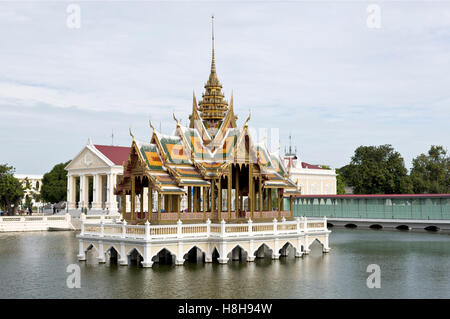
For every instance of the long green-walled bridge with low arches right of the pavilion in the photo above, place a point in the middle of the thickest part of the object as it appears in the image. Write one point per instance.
(401, 211)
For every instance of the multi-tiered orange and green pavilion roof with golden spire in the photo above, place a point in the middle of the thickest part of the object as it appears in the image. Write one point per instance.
(195, 155)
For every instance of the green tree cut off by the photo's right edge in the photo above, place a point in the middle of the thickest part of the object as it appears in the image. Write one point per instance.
(431, 173)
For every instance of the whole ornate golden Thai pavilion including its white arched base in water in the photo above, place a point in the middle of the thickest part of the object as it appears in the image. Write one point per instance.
(234, 188)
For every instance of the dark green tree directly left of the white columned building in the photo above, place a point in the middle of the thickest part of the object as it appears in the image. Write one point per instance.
(54, 184)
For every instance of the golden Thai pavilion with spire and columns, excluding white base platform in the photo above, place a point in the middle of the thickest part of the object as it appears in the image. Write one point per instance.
(223, 172)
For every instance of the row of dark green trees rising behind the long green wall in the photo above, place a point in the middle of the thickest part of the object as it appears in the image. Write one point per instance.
(381, 170)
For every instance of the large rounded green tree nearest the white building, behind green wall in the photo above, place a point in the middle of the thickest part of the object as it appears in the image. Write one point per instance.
(377, 170)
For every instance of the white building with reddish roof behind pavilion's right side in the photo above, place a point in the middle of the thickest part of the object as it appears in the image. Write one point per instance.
(311, 179)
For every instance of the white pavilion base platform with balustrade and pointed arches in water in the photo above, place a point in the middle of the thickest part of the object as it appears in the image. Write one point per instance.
(208, 241)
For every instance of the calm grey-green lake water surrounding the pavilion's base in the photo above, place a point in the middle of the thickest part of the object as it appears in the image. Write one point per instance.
(413, 265)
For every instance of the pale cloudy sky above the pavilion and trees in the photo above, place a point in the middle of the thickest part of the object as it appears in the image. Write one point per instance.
(314, 70)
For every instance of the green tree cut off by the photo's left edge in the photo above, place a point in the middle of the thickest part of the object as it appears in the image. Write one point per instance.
(11, 190)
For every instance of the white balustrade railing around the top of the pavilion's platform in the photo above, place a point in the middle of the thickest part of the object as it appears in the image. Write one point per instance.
(203, 230)
